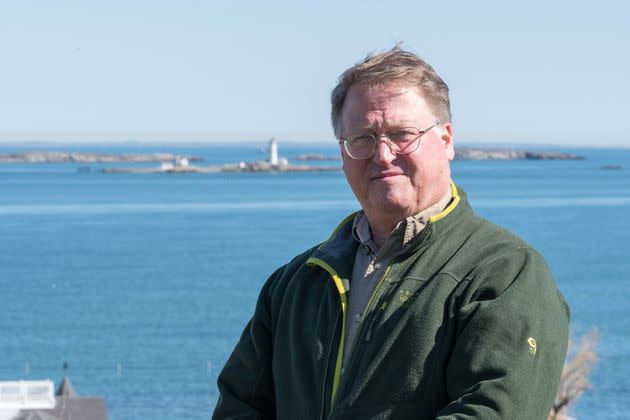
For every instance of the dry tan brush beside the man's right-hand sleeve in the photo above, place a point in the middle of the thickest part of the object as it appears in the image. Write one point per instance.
(575, 373)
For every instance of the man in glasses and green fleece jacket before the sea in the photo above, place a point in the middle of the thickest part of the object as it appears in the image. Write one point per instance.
(414, 307)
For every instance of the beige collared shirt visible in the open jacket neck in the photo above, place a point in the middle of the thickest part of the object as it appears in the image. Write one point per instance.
(371, 262)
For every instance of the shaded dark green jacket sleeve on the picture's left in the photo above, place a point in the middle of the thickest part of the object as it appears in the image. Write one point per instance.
(245, 383)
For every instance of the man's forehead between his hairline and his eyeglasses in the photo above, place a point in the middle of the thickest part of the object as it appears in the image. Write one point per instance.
(390, 104)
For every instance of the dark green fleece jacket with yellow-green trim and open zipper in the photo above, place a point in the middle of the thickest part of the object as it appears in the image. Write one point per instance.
(467, 323)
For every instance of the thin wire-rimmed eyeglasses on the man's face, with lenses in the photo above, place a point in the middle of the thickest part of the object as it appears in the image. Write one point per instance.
(401, 141)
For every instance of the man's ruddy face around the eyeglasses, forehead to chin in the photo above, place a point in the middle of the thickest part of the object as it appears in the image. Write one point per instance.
(392, 187)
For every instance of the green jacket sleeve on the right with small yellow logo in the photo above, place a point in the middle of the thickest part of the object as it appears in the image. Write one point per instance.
(511, 341)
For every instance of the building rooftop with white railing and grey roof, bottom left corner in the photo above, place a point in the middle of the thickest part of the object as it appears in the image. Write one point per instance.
(34, 400)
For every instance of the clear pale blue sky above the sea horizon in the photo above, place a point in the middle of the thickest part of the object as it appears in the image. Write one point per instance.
(519, 72)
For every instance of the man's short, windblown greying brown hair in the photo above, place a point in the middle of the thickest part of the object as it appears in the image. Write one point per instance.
(393, 66)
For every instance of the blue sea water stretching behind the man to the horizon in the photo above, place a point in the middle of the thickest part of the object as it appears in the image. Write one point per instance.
(143, 283)
